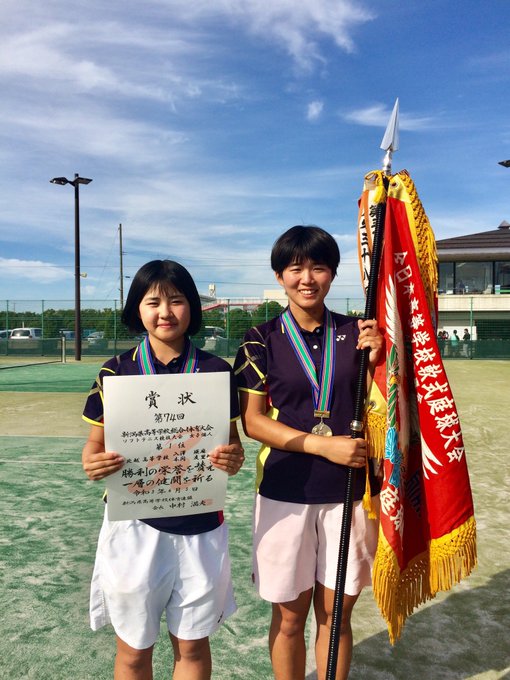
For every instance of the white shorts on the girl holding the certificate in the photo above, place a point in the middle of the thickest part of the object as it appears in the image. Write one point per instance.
(141, 572)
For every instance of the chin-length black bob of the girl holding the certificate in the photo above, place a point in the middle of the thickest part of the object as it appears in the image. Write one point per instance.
(164, 276)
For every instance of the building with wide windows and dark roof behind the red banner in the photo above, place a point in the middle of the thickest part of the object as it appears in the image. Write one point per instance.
(474, 286)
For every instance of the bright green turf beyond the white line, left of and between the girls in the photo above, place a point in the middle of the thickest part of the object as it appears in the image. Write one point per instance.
(47, 553)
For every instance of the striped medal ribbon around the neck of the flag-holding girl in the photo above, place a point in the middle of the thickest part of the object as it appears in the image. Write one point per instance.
(322, 388)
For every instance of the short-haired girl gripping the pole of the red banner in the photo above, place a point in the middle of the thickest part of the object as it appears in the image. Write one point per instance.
(297, 378)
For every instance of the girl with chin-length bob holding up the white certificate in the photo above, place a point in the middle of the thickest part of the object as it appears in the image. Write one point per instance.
(177, 565)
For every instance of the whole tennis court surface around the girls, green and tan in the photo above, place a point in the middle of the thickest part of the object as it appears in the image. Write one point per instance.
(51, 516)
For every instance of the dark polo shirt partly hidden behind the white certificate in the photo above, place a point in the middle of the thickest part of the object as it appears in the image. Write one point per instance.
(127, 364)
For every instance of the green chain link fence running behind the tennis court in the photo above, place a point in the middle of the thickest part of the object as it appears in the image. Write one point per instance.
(464, 335)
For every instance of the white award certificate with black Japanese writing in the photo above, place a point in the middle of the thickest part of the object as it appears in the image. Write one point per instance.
(165, 426)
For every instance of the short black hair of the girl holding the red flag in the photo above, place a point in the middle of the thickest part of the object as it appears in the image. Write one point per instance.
(299, 244)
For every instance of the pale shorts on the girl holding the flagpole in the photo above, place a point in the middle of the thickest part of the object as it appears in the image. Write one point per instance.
(296, 545)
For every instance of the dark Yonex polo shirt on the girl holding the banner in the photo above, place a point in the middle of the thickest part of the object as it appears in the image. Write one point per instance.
(266, 364)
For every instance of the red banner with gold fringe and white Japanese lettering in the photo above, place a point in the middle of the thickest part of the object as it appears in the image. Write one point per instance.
(427, 539)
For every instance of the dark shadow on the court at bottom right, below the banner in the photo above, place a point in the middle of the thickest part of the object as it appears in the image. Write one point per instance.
(459, 637)
